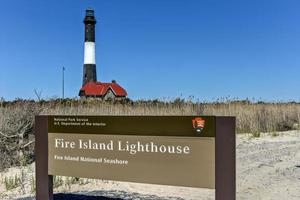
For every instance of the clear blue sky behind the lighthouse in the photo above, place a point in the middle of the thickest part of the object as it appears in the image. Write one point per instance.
(154, 48)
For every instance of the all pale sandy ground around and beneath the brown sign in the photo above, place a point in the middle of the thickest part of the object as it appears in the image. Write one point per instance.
(268, 167)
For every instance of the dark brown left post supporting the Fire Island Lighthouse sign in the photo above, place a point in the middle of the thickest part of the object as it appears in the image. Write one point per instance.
(44, 182)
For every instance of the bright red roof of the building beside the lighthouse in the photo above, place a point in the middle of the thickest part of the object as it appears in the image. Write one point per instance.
(100, 89)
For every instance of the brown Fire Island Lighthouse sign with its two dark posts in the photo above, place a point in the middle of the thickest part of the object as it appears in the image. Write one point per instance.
(188, 151)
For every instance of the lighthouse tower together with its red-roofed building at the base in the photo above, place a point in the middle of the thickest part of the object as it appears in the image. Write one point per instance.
(90, 86)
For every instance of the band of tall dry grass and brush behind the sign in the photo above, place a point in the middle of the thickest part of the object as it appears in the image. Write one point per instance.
(17, 117)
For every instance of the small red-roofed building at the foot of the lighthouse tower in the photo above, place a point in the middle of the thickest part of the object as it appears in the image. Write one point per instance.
(103, 90)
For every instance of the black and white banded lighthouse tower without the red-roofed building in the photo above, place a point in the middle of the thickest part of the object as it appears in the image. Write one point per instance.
(89, 69)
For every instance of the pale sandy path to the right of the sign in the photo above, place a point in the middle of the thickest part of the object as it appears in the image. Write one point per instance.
(269, 167)
